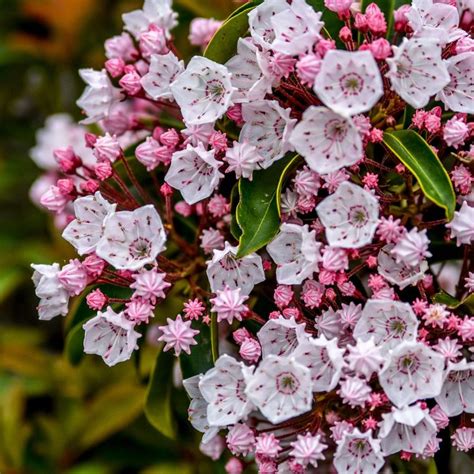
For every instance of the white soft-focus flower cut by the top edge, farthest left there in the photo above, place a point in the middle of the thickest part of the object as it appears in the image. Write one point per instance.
(156, 12)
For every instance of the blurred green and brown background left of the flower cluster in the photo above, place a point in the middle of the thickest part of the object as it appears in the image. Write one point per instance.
(55, 417)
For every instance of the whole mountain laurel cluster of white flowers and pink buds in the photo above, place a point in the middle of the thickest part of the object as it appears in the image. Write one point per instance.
(291, 215)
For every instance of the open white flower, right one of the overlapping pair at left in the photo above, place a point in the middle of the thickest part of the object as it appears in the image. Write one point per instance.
(132, 238)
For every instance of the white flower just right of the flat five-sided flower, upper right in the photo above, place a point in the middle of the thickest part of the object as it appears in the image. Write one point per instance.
(417, 71)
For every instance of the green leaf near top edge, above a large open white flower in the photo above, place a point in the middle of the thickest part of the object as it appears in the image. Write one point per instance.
(223, 44)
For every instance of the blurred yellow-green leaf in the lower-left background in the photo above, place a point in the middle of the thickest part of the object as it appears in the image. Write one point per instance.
(114, 408)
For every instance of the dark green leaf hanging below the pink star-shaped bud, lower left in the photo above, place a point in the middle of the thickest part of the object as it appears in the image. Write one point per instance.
(158, 405)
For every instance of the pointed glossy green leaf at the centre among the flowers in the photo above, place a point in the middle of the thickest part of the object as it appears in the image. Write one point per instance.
(258, 212)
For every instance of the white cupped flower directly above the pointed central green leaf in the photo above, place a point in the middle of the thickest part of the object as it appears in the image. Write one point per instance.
(268, 127)
